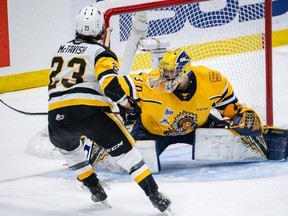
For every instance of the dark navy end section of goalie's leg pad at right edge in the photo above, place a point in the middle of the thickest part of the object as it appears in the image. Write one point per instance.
(277, 142)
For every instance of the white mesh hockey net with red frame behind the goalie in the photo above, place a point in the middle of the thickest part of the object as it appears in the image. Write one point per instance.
(233, 37)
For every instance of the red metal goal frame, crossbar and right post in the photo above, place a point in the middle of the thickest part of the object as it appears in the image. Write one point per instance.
(268, 38)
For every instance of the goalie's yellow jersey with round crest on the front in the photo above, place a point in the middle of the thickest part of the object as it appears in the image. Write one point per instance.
(178, 113)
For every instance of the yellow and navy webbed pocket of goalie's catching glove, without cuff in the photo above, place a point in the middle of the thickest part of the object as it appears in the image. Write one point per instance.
(246, 122)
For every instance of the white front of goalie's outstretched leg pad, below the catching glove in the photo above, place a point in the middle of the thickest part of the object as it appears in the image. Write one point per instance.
(221, 145)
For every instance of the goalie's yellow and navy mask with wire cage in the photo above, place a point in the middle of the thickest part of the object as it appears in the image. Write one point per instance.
(173, 68)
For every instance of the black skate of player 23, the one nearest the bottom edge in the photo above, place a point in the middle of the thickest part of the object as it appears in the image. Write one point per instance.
(161, 202)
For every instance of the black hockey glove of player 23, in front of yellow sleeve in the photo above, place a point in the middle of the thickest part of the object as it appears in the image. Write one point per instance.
(130, 115)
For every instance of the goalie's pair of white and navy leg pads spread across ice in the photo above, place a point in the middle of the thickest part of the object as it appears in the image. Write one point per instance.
(211, 144)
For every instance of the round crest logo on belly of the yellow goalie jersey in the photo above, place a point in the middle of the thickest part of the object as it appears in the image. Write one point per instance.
(183, 123)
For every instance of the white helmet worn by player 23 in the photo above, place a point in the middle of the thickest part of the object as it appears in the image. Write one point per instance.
(90, 21)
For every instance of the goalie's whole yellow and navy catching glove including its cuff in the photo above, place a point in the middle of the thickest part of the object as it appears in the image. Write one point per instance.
(244, 120)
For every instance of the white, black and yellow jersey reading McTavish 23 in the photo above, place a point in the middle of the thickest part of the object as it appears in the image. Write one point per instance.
(83, 80)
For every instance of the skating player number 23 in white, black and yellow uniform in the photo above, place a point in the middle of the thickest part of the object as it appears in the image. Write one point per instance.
(83, 84)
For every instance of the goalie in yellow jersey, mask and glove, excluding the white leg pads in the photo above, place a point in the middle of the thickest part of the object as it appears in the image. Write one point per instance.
(177, 98)
